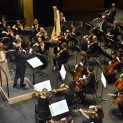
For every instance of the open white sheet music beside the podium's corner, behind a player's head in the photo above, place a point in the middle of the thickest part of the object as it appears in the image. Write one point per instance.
(40, 86)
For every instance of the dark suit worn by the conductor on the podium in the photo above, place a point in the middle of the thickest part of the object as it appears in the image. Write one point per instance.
(20, 59)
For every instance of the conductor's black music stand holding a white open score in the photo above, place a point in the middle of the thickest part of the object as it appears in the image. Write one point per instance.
(34, 63)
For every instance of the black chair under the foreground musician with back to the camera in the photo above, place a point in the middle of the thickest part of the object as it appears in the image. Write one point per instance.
(42, 116)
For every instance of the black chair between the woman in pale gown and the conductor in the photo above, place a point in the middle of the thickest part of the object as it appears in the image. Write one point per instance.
(10, 55)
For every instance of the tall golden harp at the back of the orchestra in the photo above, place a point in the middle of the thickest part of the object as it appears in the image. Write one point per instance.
(56, 29)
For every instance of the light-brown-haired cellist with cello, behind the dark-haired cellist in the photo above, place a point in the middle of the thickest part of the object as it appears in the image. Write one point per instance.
(80, 68)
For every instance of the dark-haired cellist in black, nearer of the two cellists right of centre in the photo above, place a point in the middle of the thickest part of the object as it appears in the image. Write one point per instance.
(88, 83)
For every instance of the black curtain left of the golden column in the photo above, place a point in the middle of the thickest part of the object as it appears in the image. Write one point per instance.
(11, 9)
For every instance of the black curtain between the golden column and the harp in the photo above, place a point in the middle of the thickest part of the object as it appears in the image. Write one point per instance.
(43, 11)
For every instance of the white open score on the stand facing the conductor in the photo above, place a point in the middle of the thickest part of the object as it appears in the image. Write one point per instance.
(35, 62)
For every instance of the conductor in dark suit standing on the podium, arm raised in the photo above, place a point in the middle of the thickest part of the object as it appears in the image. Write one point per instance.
(20, 59)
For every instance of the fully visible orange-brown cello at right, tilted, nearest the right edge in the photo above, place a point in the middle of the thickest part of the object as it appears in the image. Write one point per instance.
(109, 70)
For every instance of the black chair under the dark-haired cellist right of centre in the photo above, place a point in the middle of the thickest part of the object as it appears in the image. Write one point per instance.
(93, 92)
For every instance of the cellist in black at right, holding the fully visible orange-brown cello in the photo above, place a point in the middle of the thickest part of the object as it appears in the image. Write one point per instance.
(113, 65)
